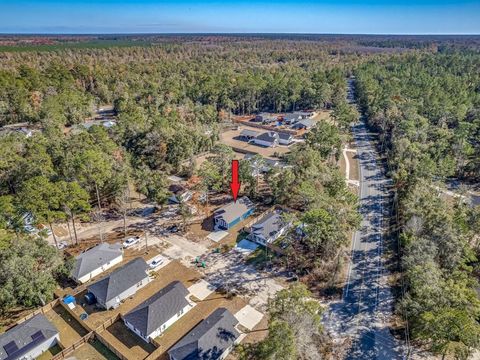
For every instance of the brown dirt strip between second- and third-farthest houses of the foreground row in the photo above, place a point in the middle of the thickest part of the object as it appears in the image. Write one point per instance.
(171, 272)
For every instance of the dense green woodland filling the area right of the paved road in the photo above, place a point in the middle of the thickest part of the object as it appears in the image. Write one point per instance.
(426, 109)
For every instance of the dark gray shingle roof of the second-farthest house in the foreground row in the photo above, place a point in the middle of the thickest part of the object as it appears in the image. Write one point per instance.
(112, 285)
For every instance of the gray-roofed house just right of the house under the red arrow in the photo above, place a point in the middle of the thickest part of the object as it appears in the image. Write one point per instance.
(268, 228)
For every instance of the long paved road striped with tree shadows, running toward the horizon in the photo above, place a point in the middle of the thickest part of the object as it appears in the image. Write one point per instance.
(367, 303)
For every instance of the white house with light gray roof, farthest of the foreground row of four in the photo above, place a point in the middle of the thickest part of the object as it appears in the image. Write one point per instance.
(95, 261)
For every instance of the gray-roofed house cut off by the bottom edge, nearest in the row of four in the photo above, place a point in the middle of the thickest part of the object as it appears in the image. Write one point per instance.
(212, 339)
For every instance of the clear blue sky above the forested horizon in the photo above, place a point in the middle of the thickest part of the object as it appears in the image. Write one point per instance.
(284, 16)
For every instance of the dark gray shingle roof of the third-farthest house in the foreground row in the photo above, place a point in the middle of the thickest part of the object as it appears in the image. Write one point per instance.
(156, 310)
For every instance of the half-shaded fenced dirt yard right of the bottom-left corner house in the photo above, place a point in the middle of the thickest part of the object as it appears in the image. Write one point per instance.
(69, 328)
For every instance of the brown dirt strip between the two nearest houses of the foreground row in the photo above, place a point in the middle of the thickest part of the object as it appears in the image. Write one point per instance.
(204, 308)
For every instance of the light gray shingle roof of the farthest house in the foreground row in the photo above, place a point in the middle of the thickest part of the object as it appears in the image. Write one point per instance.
(94, 258)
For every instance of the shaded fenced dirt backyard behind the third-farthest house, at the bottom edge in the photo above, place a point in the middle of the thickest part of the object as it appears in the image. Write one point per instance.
(135, 346)
